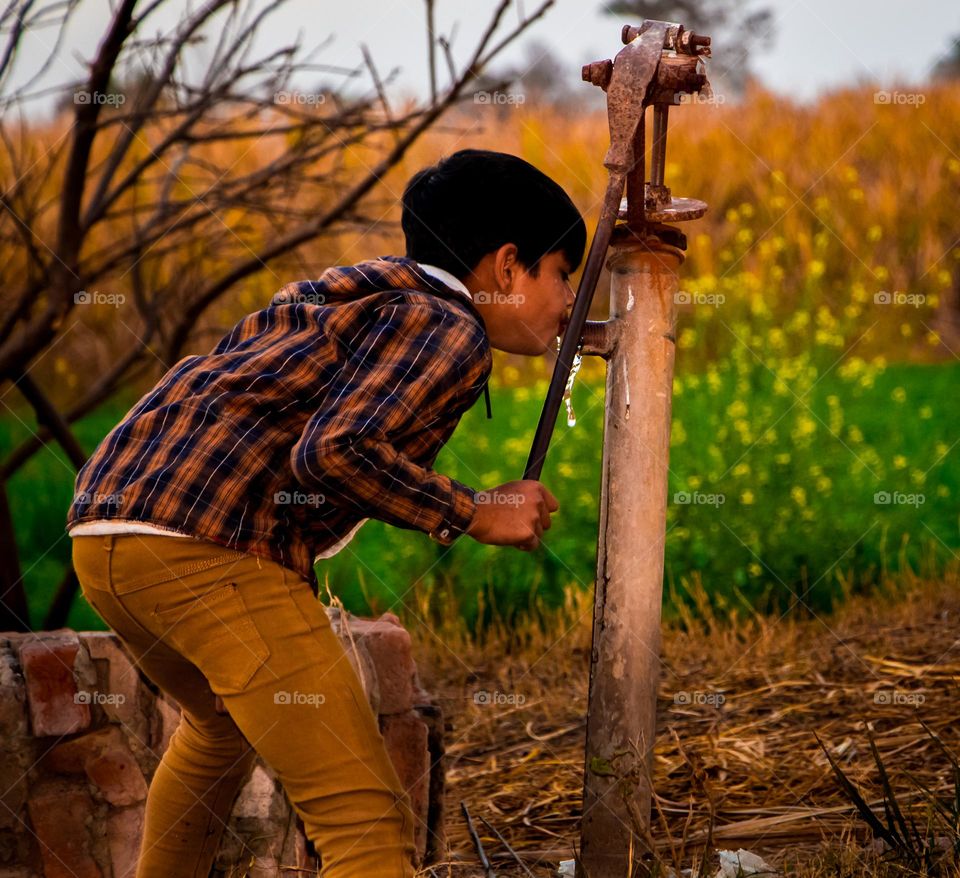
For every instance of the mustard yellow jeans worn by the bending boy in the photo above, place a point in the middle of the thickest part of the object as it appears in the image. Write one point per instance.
(201, 620)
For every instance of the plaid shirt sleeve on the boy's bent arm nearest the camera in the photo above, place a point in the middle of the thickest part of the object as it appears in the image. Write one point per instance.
(407, 375)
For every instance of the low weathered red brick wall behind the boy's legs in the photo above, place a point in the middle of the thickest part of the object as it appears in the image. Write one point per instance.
(81, 733)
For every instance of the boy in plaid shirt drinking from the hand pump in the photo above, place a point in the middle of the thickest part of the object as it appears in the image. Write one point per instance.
(197, 521)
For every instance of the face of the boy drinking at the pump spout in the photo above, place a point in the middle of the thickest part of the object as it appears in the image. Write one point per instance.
(523, 313)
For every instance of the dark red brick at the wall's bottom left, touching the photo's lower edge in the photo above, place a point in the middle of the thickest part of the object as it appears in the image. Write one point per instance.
(59, 816)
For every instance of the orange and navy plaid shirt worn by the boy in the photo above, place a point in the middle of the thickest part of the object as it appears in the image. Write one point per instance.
(322, 410)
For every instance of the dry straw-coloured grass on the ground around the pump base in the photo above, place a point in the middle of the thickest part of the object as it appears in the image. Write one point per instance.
(750, 765)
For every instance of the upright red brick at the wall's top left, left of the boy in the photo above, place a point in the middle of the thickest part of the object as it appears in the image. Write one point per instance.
(49, 667)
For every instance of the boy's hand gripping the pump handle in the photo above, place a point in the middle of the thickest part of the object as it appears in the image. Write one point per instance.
(514, 514)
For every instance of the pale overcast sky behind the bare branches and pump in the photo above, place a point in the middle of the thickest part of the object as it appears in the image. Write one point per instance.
(817, 44)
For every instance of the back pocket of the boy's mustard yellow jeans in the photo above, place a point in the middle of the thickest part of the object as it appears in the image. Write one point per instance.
(216, 632)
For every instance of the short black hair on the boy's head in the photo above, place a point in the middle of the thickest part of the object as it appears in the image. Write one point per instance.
(475, 201)
